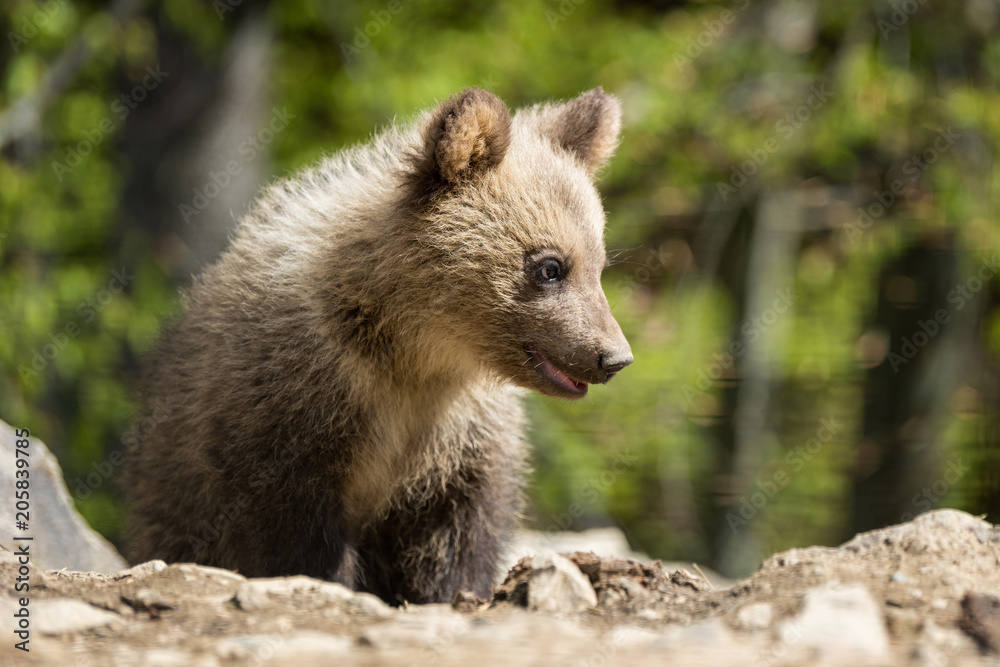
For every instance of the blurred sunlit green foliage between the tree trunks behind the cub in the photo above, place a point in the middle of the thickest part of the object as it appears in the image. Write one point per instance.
(705, 87)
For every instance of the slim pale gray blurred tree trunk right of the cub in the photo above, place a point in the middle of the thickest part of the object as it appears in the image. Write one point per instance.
(743, 436)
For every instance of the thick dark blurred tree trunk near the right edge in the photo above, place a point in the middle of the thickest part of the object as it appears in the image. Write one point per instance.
(907, 395)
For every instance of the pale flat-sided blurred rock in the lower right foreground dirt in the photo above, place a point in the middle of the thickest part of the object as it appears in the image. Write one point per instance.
(840, 619)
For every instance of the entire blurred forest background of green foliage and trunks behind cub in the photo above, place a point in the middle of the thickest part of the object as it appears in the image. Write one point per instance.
(802, 211)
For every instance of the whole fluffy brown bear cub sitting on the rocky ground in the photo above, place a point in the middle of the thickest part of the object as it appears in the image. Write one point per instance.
(342, 390)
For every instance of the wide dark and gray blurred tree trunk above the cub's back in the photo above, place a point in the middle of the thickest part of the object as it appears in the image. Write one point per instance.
(195, 156)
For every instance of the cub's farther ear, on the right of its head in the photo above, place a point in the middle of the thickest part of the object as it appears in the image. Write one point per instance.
(588, 127)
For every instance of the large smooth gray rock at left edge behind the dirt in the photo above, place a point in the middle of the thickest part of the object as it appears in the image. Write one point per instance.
(62, 539)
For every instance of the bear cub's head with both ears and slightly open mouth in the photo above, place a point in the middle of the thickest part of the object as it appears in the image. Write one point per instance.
(507, 208)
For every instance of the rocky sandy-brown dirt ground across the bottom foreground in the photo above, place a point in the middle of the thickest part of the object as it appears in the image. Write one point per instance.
(922, 593)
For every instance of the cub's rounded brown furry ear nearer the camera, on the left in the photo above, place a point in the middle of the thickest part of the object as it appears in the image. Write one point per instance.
(468, 135)
